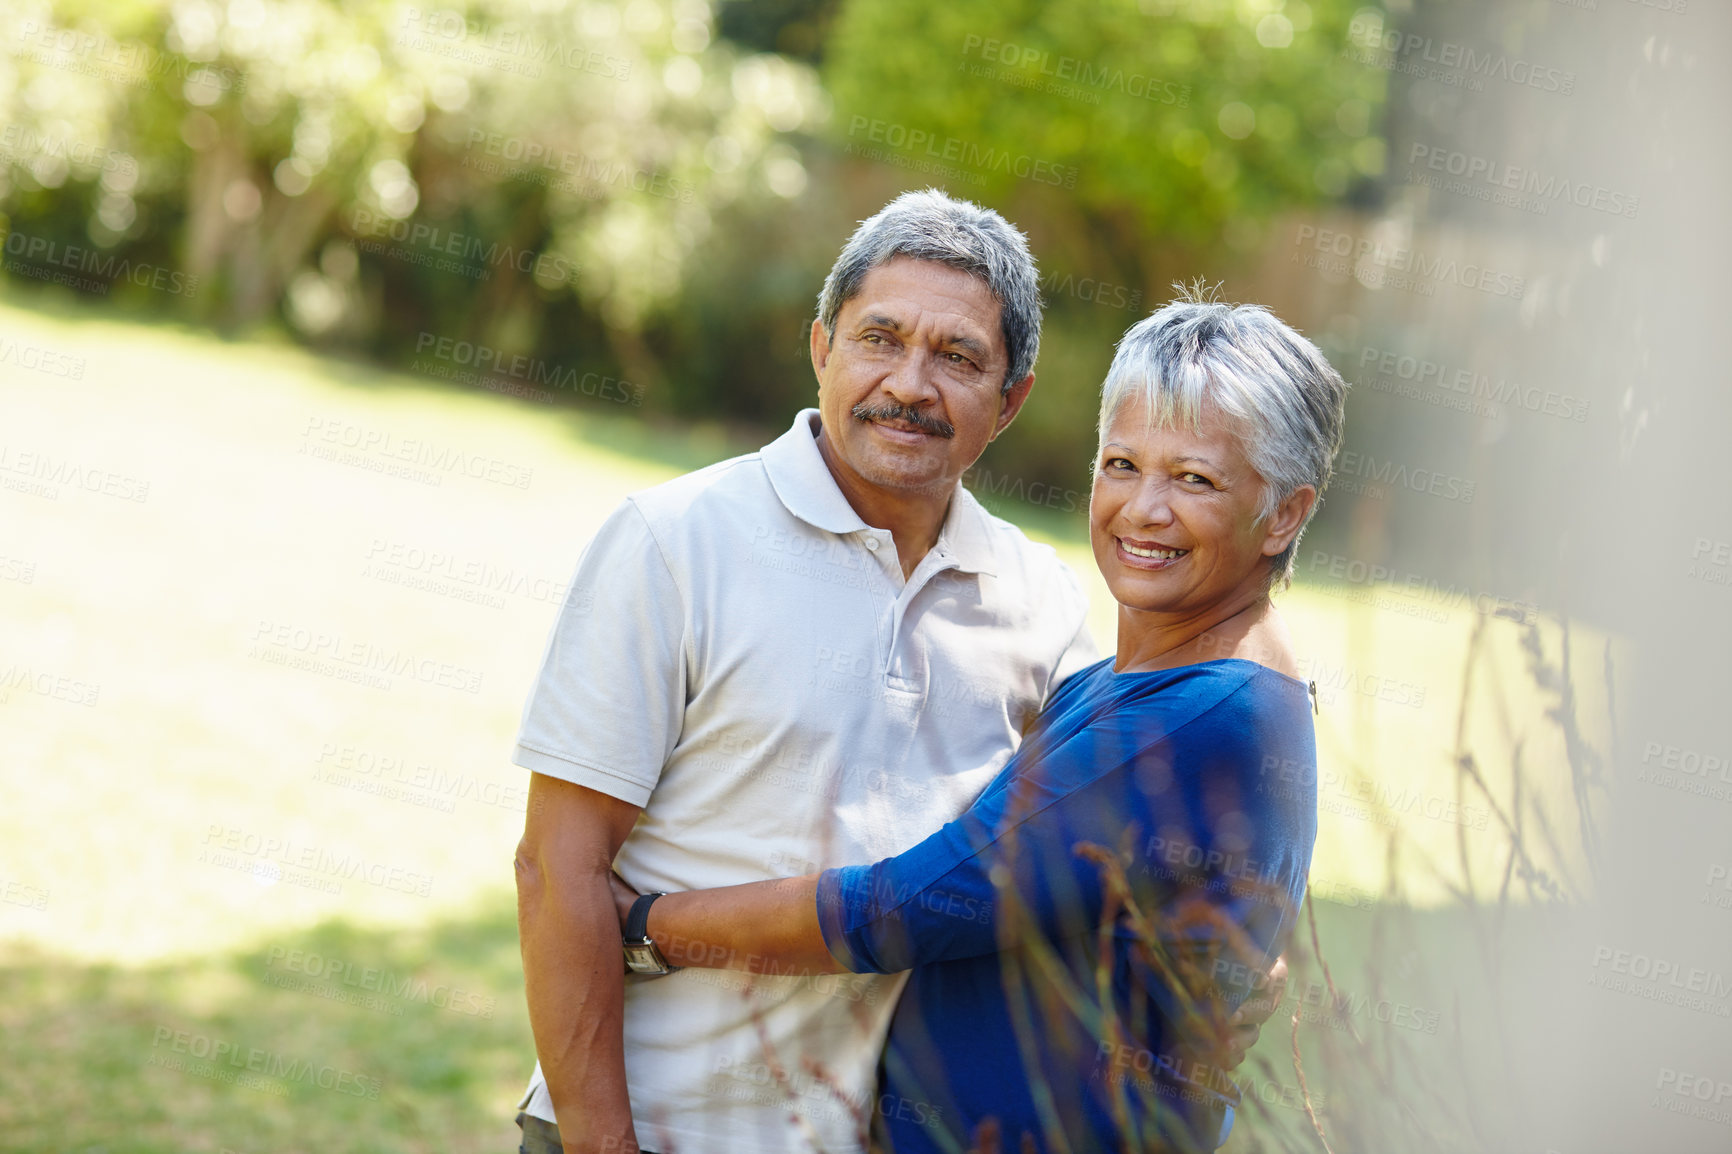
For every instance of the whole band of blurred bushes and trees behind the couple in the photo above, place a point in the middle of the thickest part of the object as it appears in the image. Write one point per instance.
(654, 190)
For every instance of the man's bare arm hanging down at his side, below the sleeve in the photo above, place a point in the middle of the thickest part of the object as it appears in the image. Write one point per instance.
(572, 963)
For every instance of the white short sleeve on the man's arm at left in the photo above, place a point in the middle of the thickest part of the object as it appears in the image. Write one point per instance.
(609, 704)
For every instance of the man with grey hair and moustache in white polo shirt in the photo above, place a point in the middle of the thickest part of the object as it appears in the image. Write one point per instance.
(810, 656)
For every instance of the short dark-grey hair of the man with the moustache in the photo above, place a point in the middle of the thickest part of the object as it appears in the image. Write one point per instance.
(933, 226)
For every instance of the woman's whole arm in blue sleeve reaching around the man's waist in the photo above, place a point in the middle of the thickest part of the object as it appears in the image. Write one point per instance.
(1009, 869)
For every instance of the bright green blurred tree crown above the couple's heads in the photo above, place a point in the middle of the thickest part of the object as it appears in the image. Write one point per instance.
(1163, 120)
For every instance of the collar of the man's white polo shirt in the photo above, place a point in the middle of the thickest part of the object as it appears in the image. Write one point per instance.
(803, 483)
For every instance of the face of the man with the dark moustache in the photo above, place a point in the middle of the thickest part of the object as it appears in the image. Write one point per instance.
(912, 387)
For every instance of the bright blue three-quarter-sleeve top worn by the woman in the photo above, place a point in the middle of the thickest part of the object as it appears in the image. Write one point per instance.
(1037, 999)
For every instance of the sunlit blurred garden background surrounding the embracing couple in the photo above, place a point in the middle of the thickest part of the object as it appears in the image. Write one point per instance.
(332, 332)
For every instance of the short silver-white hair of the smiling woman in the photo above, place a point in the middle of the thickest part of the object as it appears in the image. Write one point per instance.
(1284, 399)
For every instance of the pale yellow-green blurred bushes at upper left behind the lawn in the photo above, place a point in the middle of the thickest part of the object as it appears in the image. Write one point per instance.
(323, 159)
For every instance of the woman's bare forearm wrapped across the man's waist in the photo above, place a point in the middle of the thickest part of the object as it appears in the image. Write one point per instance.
(763, 928)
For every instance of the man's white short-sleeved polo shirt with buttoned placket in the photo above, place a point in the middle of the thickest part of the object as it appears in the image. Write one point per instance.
(742, 658)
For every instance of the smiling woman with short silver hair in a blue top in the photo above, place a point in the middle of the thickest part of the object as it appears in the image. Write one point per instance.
(1076, 942)
